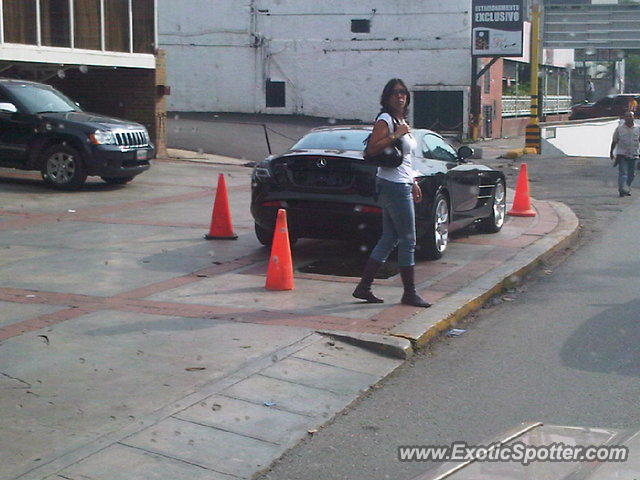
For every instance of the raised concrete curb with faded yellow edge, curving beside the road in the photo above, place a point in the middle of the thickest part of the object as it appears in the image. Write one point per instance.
(421, 329)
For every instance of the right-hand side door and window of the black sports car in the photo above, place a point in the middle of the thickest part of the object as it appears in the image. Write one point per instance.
(463, 180)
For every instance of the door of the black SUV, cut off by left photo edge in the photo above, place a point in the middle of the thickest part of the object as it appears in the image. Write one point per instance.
(17, 129)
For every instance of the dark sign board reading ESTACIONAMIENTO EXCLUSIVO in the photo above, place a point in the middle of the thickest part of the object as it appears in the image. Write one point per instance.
(496, 28)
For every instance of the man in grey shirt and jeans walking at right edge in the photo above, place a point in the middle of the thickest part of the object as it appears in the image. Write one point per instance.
(625, 146)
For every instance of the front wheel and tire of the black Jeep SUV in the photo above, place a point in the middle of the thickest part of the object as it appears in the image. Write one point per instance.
(63, 167)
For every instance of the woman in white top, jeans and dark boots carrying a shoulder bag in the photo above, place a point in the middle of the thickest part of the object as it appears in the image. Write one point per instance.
(397, 190)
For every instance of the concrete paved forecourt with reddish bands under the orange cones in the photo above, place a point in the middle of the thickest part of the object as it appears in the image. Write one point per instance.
(131, 348)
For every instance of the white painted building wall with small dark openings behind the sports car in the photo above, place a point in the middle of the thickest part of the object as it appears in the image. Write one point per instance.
(221, 52)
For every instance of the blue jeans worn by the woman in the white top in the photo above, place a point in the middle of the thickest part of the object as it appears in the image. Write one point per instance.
(398, 222)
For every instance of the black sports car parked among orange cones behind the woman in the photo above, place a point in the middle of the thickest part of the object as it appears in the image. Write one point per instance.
(328, 190)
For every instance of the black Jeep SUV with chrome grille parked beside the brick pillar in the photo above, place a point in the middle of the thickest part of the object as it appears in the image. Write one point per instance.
(41, 129)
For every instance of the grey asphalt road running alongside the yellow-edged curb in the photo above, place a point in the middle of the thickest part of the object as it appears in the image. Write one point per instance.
(561, 349)
